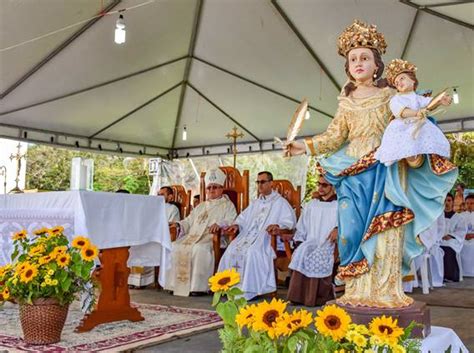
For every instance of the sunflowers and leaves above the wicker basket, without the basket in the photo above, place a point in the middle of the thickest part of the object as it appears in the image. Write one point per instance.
(45, 265)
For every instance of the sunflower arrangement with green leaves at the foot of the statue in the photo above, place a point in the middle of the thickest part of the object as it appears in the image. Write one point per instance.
(269, 327)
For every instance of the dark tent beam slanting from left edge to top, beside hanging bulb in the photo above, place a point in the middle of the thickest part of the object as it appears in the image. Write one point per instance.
(58, 49)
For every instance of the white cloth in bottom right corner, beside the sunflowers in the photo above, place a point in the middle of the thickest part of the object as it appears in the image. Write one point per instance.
(440, 339)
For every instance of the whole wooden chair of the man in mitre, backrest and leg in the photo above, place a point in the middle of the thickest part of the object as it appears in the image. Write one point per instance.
(236, 187)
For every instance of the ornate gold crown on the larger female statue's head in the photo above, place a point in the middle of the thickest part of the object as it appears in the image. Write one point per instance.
(361, 35)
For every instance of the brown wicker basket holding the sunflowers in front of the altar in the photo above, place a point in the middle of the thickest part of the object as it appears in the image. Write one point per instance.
(43, 321)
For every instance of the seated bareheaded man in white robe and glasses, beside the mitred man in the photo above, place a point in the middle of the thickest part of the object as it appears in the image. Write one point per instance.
(250, 253)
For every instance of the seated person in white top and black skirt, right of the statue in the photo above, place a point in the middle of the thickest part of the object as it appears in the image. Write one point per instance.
(453, 240)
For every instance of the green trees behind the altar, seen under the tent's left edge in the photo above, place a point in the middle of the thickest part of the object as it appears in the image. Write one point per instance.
(49, 169)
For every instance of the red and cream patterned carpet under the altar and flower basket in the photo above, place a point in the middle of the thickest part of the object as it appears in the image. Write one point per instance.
(161, 323)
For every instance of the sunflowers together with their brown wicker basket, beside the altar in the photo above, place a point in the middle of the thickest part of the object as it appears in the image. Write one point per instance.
(46, 274)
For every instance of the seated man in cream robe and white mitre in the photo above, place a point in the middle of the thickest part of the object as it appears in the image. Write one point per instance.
(192, 255)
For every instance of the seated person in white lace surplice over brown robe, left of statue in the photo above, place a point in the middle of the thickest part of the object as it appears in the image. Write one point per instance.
(313, 260)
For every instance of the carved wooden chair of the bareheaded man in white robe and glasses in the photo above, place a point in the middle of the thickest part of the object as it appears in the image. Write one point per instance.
(293, 196)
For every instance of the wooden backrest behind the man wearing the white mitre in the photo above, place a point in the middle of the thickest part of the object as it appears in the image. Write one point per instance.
(236, 187)
